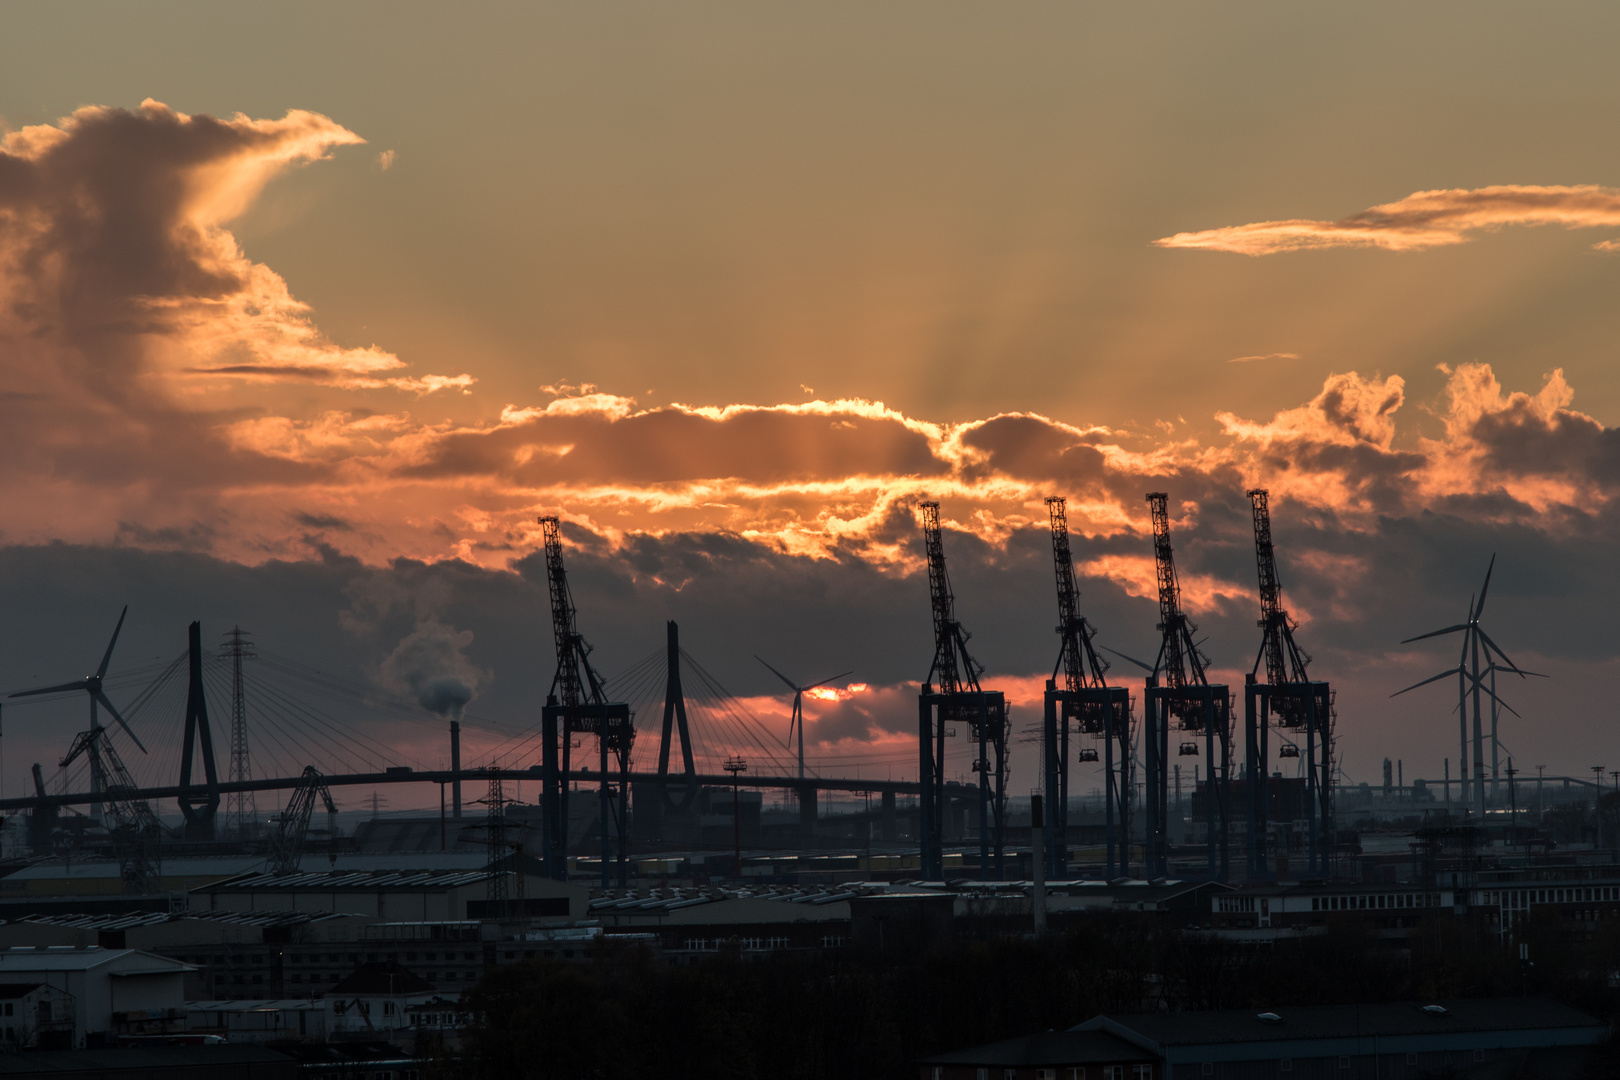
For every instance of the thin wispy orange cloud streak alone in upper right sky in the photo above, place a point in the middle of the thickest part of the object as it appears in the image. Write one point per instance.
(1425, 219)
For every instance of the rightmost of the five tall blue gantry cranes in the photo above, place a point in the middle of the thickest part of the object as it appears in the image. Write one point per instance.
(1292, 702)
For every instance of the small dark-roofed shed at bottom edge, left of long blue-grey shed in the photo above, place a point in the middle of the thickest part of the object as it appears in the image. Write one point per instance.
(1042, 1057)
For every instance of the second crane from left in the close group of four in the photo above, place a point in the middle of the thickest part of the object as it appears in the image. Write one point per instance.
(1093, 707)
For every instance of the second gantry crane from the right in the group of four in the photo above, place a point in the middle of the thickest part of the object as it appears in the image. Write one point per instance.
(1180, 695)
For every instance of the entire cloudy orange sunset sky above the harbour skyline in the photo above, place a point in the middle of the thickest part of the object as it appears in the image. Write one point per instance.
(309, 312)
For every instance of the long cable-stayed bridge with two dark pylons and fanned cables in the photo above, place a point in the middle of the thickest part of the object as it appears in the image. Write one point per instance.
(174, 718)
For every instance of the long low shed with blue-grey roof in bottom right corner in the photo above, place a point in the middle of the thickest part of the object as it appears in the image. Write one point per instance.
(1407, 1039)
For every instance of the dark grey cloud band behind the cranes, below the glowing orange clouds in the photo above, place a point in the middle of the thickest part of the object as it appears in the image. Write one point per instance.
(1358, 593)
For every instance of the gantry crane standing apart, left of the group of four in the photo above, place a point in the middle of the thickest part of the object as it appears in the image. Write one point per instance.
(579, 704)
